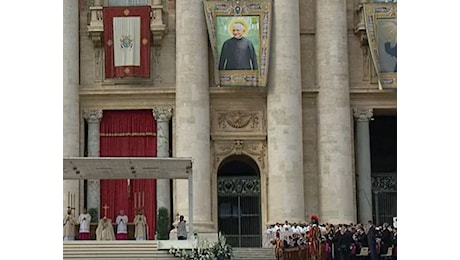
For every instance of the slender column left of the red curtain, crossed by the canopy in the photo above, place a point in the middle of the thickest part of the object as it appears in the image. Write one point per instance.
(93, 118)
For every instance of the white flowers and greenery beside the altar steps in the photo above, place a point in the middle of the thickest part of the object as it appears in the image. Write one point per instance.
(206, 250)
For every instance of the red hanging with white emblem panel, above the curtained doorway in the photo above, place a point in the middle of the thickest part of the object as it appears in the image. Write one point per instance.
(127, 41)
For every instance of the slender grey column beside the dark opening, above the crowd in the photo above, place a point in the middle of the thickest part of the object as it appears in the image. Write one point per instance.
(363, 163)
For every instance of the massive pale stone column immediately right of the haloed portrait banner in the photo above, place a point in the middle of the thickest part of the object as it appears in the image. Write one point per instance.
(284, 118)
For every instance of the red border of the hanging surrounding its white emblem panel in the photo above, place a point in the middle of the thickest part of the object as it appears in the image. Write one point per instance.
(126, 71)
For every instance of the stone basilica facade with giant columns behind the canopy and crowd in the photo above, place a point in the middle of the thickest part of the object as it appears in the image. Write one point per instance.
(317, 136)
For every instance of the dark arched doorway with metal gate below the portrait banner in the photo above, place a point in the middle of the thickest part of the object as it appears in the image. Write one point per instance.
(238, 191)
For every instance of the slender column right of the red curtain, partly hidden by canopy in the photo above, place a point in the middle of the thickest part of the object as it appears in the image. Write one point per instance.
(162, 116)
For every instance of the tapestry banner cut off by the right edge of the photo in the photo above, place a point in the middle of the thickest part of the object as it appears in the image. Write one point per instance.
(381, 30)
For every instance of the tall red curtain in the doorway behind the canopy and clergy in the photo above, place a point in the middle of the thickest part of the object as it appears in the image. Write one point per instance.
(130, 133)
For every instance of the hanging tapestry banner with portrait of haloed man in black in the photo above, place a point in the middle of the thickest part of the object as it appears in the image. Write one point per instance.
(239, 33)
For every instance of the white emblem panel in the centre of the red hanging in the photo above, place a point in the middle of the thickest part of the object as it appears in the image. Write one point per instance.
(126, 37)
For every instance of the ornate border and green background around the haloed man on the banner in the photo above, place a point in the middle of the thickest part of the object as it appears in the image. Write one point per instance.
(256, 16)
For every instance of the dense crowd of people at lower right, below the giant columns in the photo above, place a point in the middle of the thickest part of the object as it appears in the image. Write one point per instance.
(328, 241)
